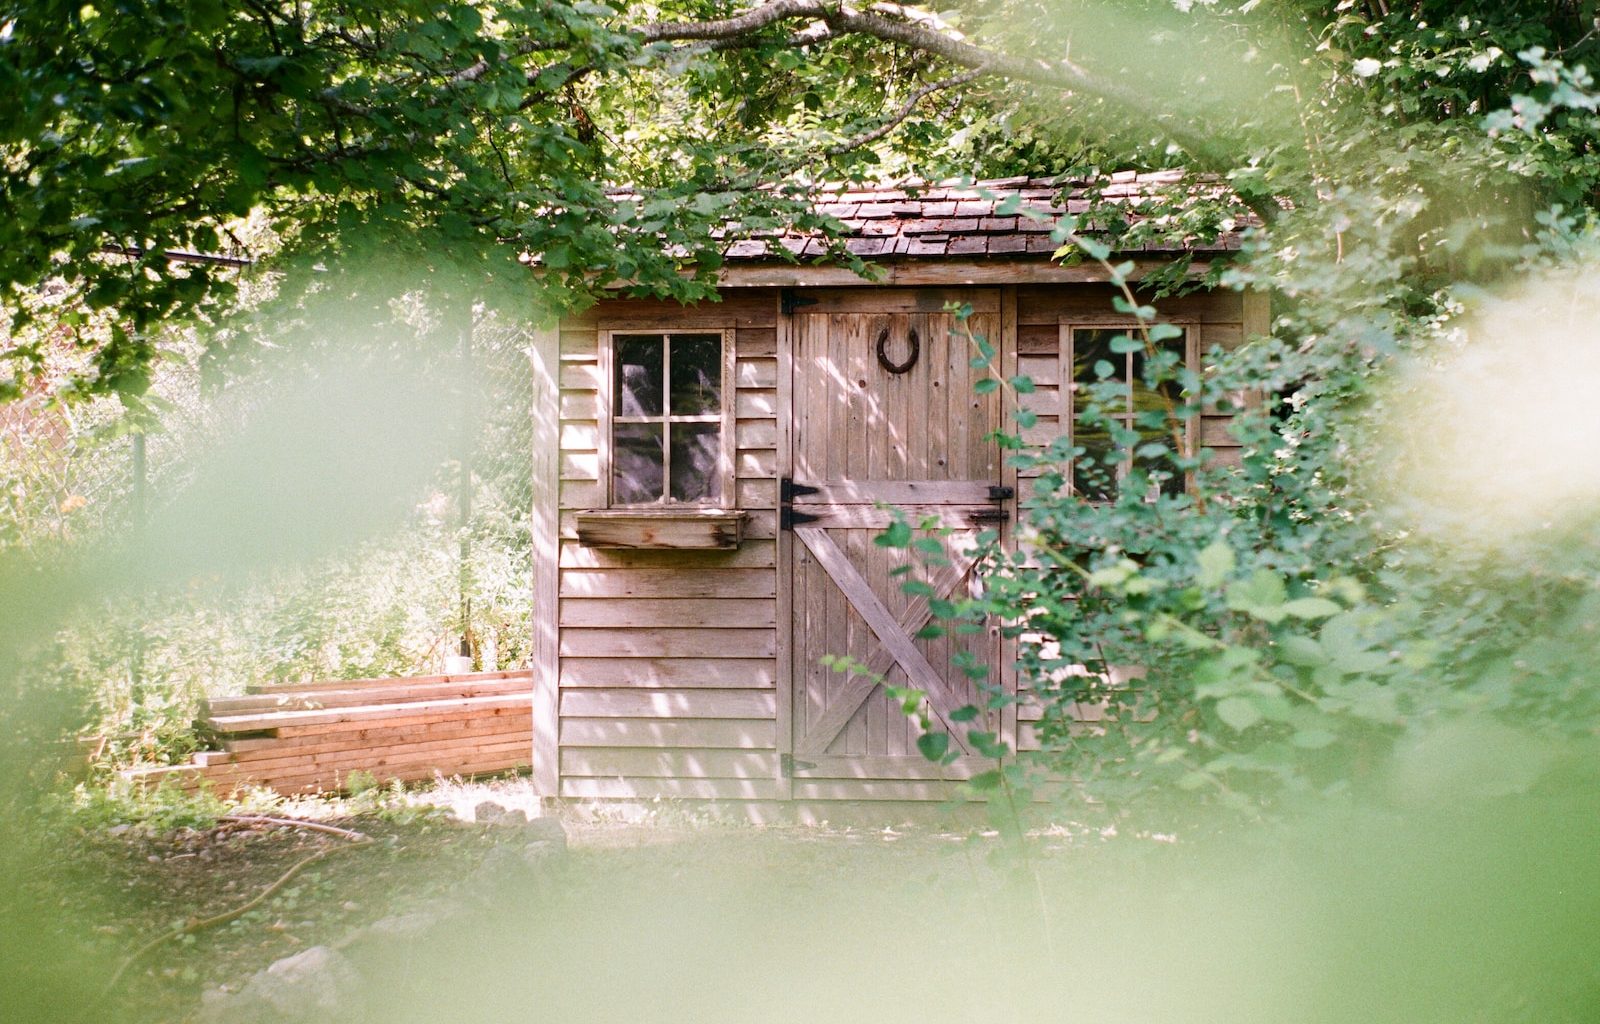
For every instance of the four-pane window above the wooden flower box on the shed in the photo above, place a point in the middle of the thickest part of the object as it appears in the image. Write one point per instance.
(668, 410)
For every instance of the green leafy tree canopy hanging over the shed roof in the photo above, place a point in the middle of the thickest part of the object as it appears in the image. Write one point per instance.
(330, 132)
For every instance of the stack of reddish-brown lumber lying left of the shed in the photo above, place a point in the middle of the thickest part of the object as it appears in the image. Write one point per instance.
(313, 737)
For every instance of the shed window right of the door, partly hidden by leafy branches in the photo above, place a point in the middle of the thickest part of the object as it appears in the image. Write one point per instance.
(1142, 414)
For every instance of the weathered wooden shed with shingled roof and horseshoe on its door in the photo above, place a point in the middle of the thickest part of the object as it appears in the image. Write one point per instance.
(710, 479)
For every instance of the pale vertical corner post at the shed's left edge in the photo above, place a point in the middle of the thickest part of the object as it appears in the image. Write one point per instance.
(545, 526)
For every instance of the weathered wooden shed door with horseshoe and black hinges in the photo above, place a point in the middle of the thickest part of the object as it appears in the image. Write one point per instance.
(874, 426)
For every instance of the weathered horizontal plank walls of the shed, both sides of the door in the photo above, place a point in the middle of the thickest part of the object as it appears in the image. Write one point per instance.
(670, 662)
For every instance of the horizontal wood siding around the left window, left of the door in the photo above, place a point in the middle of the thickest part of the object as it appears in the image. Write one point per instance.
(668, 676)
